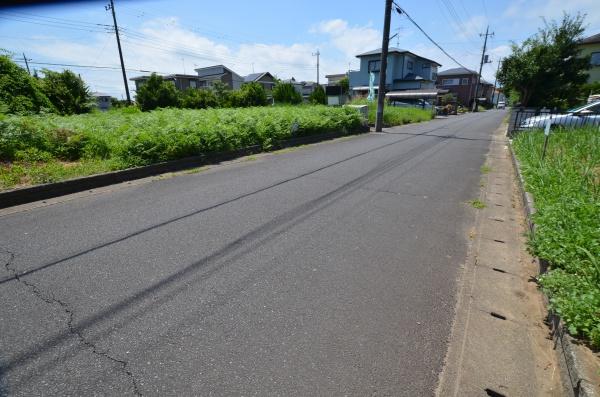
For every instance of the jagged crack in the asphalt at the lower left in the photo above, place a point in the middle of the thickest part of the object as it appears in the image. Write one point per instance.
(71, 327)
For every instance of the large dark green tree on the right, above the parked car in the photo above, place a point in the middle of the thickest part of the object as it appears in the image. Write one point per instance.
(547, 69)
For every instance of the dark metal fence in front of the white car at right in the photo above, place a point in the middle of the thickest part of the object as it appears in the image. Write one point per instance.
(524, 119)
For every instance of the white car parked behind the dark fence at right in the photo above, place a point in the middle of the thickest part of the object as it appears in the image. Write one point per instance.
(588, 114)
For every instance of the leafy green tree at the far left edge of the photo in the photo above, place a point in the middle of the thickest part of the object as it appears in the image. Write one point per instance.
(19, 92)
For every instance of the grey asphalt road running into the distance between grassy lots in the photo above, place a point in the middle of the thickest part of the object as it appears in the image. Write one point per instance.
(327, 270)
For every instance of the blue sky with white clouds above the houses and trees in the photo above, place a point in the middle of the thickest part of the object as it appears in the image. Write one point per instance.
(276, 36)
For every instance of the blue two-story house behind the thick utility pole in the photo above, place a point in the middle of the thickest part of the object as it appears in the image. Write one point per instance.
(406, 71)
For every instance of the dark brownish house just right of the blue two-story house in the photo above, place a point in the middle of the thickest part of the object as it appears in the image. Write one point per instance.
(462, 82)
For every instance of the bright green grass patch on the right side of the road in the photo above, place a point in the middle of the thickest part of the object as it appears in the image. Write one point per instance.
(566, 190)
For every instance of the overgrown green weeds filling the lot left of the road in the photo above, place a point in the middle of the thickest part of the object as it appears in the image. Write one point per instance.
(48, 148)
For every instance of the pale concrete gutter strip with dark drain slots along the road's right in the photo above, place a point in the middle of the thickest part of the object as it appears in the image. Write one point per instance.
(499, 343)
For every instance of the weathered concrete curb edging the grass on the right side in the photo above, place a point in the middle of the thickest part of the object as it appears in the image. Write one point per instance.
(570, 364)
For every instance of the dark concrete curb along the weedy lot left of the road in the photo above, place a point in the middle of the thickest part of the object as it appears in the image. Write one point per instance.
(14, 197)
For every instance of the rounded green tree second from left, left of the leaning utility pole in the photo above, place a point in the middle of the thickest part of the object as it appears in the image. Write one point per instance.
(67, 92)
